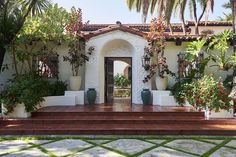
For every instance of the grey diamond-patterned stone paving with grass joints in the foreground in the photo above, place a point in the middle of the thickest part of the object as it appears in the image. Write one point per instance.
(118, 147)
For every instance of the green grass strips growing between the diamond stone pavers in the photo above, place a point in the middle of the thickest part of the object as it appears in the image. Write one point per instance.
(89, 140)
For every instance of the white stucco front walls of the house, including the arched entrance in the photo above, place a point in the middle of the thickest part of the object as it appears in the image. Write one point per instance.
(114, 44)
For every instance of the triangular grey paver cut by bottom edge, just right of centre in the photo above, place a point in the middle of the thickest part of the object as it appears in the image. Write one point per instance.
(165, 152)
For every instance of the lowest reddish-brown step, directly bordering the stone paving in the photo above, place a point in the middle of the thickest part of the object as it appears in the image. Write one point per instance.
(122, 129)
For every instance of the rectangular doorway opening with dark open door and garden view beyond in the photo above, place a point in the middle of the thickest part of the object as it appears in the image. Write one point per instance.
(118, 80)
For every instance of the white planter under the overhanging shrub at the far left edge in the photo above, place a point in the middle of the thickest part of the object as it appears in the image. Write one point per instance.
(18, 112)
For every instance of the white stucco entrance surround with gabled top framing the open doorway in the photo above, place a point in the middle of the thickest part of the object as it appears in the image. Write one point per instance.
(116, 44)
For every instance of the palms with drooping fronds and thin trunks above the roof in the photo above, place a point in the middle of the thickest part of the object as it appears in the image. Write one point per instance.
(166, 7)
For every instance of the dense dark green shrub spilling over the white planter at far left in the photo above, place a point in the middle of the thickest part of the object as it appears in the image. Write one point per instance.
(29, 90)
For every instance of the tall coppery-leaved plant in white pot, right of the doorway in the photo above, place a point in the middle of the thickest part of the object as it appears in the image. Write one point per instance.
(156, 63)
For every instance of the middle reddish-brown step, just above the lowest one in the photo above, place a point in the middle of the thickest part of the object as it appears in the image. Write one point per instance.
(120, 120)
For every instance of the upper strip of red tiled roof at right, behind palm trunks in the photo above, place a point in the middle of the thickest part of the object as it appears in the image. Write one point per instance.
(210, 23)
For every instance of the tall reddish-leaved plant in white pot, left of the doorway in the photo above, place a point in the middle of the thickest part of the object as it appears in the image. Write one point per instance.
(76, 54)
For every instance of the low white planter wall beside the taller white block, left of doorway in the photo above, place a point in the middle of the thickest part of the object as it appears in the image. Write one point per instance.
(58, 101)
